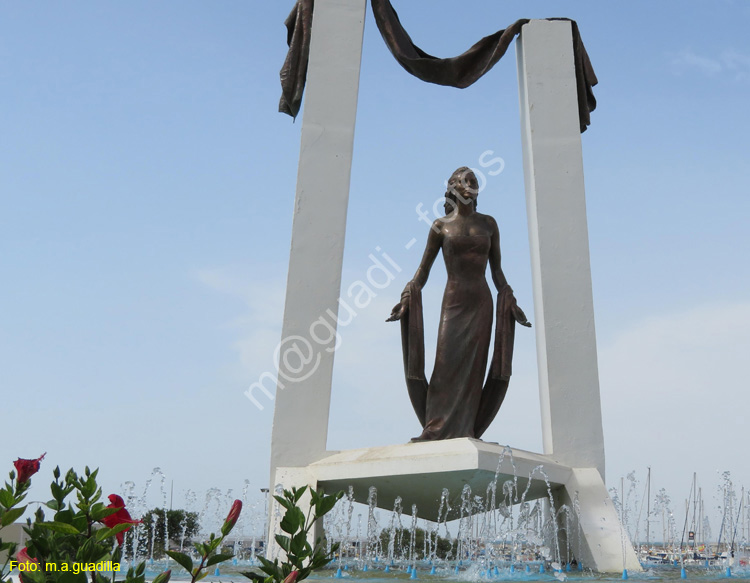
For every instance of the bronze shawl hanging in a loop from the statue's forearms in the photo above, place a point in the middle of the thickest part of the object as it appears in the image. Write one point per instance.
(496, 385)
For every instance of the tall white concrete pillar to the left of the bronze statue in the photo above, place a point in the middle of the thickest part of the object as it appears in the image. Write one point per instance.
(303, 395)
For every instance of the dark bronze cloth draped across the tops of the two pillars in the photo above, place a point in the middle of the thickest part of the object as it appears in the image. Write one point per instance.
(460, 71)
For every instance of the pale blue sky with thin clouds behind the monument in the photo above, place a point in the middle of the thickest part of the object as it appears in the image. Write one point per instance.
(146, 195)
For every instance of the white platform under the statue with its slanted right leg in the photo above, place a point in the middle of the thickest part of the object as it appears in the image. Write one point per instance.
(418, 472)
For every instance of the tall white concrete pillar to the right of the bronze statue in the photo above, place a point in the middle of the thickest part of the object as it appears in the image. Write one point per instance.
(558, 234)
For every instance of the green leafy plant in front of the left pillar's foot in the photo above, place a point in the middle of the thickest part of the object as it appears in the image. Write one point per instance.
(302, 558)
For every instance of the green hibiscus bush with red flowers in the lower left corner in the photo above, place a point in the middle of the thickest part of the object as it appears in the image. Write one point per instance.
(81, 540)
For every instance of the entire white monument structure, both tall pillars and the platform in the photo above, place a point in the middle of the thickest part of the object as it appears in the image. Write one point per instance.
(573, 459)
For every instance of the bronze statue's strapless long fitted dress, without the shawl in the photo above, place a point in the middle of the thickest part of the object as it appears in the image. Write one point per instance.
(463, 345)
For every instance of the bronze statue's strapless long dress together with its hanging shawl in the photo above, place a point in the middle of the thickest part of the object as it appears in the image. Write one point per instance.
(454, 403)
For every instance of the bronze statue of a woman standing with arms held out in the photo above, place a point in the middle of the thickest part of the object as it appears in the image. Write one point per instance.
(457, 402)
